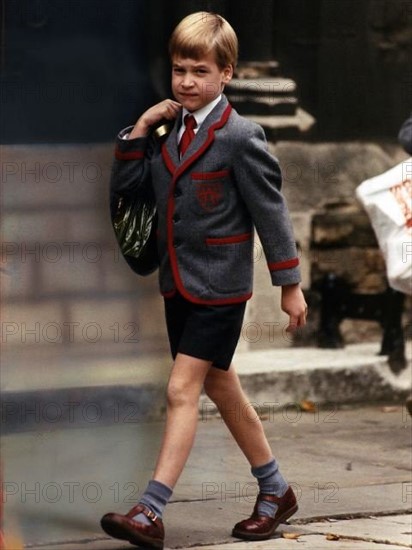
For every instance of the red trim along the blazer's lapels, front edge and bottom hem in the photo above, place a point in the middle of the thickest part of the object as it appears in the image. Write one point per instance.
(176, 173)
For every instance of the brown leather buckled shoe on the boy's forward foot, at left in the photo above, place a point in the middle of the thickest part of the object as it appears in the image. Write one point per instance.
(126, 528)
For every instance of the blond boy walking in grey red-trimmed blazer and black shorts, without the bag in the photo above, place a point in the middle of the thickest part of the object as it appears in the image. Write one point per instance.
(214, 180)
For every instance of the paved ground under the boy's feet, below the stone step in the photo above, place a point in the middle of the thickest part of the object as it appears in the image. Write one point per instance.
(350, 467)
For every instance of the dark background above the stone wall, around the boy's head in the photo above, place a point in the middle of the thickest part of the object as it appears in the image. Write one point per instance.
(65, 63)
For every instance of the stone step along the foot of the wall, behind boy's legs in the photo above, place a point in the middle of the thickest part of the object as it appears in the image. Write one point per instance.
(273, 379)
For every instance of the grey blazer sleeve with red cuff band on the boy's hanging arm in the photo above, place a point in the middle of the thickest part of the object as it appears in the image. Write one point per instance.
(259, 181)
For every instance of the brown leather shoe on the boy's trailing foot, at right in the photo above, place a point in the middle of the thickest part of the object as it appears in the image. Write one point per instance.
(262, 527)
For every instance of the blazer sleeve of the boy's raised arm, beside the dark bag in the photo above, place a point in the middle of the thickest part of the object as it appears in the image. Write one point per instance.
(131, 167)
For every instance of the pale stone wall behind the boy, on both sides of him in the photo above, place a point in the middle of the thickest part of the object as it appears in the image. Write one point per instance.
(69, 298)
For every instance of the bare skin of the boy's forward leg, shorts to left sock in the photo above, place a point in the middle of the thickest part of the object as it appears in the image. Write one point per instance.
(183, 391)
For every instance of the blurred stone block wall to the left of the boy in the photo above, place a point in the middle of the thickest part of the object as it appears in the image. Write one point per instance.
(68, 297)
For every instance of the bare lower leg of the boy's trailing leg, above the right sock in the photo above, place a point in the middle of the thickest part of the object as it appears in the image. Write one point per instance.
(224, 389)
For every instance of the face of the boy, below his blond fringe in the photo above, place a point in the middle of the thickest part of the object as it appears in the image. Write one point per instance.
(195, 83)
